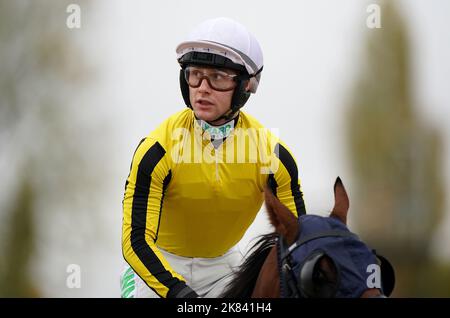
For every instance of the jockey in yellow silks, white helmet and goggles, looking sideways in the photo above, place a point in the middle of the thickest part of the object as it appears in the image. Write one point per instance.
(196, 182)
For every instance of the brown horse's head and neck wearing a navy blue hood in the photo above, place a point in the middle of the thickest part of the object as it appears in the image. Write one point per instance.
(311, 256)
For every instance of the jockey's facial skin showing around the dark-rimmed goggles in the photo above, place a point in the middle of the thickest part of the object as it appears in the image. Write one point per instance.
(209, 104)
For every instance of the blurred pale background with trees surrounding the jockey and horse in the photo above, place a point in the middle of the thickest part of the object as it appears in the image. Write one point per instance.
(353, 96)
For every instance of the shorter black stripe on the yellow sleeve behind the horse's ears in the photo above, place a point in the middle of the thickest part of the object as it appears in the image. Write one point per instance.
(289, 163)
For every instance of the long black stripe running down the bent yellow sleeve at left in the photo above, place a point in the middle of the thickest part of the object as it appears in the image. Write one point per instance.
(139, 217)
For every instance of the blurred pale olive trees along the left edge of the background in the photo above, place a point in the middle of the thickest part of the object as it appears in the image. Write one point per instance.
(44, 160)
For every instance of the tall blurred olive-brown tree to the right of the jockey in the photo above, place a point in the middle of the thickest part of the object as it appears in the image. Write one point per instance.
(395, 155)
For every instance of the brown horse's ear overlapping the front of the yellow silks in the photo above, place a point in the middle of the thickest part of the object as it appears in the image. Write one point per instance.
(281, 217)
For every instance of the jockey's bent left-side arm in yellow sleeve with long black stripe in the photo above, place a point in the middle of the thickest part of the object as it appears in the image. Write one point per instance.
(149, 175)
